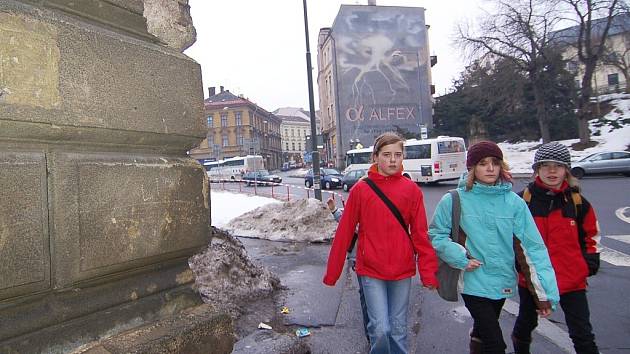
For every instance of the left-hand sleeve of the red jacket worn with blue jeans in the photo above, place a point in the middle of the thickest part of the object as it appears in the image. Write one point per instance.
(343, 237)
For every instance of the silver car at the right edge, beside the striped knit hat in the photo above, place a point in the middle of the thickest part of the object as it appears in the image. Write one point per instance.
(602, 162)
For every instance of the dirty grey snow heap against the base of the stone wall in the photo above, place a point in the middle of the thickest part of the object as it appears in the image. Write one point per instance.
(226, 277)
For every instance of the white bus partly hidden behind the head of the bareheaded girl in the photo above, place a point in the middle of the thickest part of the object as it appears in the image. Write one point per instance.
(428, 160)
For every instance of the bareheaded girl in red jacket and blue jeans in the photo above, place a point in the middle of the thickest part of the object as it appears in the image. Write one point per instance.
(387, 253)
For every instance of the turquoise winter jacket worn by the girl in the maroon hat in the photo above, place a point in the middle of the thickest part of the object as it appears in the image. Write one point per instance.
(490, 217)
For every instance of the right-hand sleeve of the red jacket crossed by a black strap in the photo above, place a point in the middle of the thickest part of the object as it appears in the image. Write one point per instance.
(427, 259)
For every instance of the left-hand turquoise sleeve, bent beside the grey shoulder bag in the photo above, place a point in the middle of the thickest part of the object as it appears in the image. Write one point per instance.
(440, 233)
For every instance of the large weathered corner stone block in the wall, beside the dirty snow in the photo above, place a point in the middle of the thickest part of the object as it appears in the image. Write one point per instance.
(115, 212)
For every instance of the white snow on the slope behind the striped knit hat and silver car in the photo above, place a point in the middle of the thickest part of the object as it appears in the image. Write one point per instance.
(521, 155)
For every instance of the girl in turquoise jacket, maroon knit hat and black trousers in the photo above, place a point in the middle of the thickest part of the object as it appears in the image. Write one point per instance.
(498, 230)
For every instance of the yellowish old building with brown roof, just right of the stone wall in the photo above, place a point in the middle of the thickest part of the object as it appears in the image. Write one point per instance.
(239, 127)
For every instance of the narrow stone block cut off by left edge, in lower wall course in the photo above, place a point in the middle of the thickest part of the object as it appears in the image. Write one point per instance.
(24, 241)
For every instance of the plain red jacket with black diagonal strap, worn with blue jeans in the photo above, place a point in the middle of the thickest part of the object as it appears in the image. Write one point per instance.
(384, 249)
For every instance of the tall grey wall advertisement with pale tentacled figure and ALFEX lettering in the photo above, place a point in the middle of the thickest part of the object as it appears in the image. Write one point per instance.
(381, 71)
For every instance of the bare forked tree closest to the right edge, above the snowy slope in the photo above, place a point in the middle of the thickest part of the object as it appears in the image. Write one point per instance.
(594, 19)
